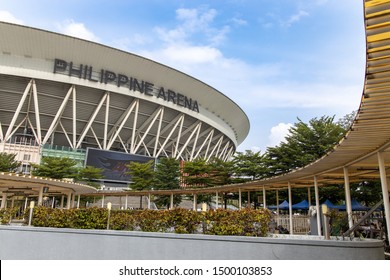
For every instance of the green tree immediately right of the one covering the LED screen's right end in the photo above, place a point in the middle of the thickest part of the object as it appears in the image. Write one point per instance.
(167, 177)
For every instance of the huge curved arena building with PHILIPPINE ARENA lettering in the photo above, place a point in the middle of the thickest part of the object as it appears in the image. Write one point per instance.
(67, 97)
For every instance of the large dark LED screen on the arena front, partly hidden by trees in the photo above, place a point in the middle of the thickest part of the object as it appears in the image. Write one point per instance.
(113, 163)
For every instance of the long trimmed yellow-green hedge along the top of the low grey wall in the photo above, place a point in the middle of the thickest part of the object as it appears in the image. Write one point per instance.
(246, 222)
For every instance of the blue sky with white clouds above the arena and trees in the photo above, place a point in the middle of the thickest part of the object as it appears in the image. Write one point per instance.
(277, 59)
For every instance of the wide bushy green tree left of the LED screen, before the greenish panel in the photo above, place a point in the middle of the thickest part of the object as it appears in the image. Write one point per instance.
(56, 168)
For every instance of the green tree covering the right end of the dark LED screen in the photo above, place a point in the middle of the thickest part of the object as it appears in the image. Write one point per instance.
(142, 175)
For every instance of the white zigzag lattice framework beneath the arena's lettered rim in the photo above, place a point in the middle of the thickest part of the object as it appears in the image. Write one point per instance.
(76, 116)
